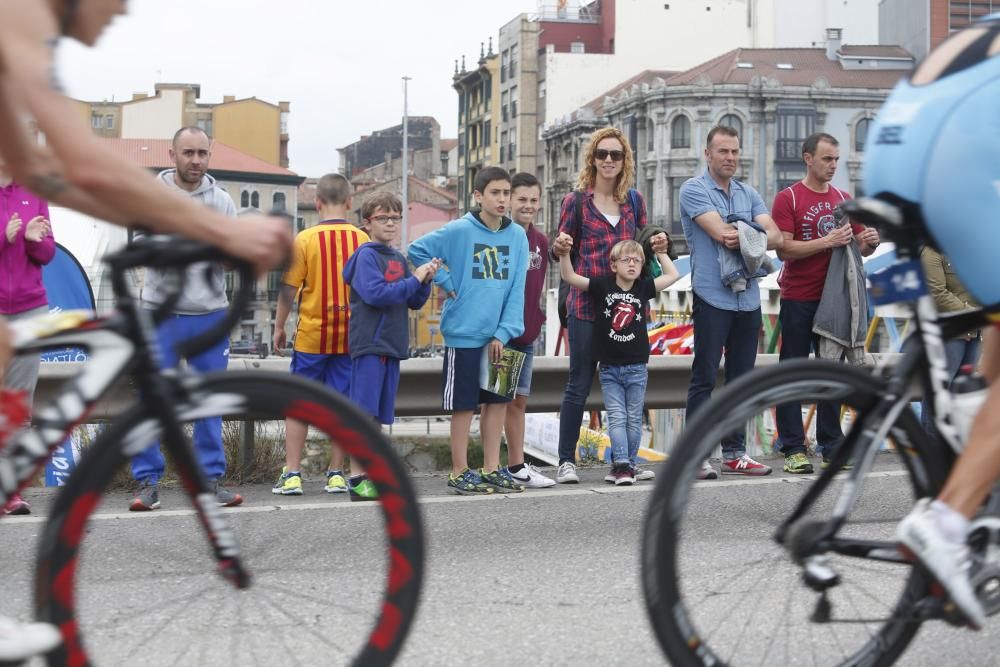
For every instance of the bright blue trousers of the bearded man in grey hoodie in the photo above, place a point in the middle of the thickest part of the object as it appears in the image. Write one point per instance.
(148, 465)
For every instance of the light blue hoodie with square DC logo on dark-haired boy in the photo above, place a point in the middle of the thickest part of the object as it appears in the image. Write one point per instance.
(486, 270)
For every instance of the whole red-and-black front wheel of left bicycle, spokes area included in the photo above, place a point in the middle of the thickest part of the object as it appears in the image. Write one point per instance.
(332, 582)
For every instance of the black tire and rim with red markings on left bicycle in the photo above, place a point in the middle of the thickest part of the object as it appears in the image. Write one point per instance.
(259, 395)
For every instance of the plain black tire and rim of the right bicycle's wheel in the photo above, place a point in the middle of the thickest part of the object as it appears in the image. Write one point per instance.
(679, 636)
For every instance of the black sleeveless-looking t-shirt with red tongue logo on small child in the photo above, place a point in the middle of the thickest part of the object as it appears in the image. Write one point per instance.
(620, 336)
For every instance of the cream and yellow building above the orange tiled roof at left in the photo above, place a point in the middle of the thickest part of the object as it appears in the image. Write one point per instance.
(251, 126)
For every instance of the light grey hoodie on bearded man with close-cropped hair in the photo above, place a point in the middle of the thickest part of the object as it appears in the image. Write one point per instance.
(205, 283)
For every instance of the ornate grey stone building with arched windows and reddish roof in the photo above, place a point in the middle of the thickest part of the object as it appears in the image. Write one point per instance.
(774, 98)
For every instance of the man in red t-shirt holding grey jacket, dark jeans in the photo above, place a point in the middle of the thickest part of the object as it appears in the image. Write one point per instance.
(805, 214)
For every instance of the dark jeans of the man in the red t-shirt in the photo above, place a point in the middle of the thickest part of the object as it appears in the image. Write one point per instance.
(797, 340)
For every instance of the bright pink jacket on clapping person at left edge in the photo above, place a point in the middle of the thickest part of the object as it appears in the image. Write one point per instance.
(21, 262)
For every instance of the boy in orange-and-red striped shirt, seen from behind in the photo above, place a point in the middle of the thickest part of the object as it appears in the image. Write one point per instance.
(320, 344)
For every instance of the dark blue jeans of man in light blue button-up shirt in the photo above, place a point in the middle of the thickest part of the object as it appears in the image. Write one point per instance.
(715, 330)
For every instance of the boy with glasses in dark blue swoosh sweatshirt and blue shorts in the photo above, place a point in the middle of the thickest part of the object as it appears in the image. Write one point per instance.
(382, 288)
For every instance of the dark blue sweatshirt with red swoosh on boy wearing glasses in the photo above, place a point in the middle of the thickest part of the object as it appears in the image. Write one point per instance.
(382, 288)
